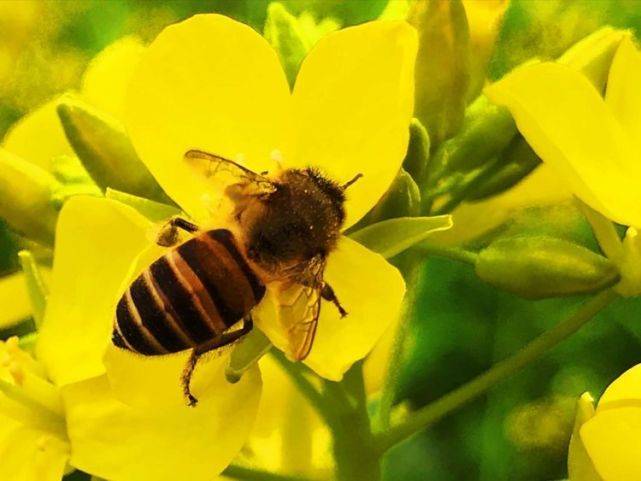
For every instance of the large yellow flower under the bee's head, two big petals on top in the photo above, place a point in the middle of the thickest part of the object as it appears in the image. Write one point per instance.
(213, 84)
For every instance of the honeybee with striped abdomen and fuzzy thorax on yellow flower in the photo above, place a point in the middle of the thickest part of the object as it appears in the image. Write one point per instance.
(280, 233)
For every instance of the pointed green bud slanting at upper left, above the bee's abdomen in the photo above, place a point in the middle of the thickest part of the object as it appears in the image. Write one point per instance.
(106, 152)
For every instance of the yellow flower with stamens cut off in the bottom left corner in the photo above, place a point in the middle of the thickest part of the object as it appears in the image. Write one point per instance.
(33, 441)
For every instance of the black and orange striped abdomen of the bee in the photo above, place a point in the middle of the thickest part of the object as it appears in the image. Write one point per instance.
(187, 297)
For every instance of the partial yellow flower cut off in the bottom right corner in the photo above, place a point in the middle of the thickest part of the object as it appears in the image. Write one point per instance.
(611, 435)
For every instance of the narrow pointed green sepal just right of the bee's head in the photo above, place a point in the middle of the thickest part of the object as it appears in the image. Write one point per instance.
(393, 236)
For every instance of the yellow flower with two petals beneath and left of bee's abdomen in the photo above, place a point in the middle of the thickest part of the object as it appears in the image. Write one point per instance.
(154, 435)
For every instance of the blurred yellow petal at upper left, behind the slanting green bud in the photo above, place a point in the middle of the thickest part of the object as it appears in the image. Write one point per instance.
(105, 81)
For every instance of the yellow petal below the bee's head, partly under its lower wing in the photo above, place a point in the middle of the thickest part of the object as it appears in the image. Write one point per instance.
(369, 288)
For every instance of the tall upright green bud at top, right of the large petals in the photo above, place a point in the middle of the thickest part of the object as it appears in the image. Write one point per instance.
(442, 65)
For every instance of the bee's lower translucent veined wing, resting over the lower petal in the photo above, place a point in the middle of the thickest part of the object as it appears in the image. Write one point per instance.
(300, 310)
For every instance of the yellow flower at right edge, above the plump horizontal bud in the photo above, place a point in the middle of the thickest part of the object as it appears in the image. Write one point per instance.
(590, 141)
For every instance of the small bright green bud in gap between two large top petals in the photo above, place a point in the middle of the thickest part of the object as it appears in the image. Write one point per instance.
(282, 31)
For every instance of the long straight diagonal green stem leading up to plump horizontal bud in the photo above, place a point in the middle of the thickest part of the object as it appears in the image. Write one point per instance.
(433, 412)
